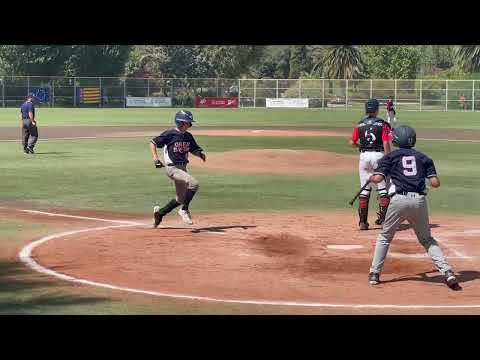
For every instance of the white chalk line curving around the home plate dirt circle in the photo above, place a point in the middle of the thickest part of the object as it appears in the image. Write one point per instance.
(25, 256)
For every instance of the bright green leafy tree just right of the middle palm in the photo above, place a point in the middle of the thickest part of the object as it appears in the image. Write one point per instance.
(391, 61)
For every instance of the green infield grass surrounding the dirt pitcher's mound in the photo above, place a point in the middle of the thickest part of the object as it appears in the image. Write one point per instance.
(118, 175)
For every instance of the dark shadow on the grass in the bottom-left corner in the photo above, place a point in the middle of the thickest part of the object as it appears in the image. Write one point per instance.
(20, 293)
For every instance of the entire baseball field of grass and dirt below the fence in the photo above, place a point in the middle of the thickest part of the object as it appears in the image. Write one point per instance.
(273, 232)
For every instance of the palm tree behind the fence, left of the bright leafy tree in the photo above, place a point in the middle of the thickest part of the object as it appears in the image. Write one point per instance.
(342, 61)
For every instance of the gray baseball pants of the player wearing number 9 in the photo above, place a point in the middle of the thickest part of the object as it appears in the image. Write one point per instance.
(412, 207)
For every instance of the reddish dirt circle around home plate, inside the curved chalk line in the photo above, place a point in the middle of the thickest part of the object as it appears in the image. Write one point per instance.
(307, 258)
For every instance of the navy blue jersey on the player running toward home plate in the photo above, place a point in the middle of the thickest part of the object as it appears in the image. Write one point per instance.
(176, 146)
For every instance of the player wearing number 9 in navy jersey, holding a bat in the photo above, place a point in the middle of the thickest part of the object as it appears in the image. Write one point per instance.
(408, 169)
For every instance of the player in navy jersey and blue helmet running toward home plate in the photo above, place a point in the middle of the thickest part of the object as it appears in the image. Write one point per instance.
(177, 143)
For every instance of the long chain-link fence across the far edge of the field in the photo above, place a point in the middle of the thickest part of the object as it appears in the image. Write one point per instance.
(327, 94)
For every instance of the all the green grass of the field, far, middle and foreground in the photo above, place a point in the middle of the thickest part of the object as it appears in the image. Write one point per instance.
(118, 175)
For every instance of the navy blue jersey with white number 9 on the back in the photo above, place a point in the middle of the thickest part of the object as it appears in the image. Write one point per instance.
(407, 168)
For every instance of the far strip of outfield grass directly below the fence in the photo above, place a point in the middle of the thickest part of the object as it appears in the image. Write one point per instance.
(248, 118)
